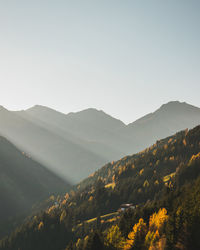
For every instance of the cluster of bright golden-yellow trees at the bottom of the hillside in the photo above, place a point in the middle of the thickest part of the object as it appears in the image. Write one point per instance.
(141, 237)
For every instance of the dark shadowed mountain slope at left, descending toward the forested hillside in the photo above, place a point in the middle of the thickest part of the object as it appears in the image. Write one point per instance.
(23, 183)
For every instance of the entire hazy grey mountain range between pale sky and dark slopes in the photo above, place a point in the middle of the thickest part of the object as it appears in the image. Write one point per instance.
(76, 144)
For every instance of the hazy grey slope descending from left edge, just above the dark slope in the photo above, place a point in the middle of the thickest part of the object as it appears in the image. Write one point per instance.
(59, 154)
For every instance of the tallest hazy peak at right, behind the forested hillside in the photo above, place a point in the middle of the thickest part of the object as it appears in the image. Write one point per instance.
(167, 120)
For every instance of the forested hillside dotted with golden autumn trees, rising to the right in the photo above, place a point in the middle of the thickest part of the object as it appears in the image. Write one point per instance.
(162, 182)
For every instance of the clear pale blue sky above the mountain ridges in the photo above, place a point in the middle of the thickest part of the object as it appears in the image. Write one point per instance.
(125, 57)
